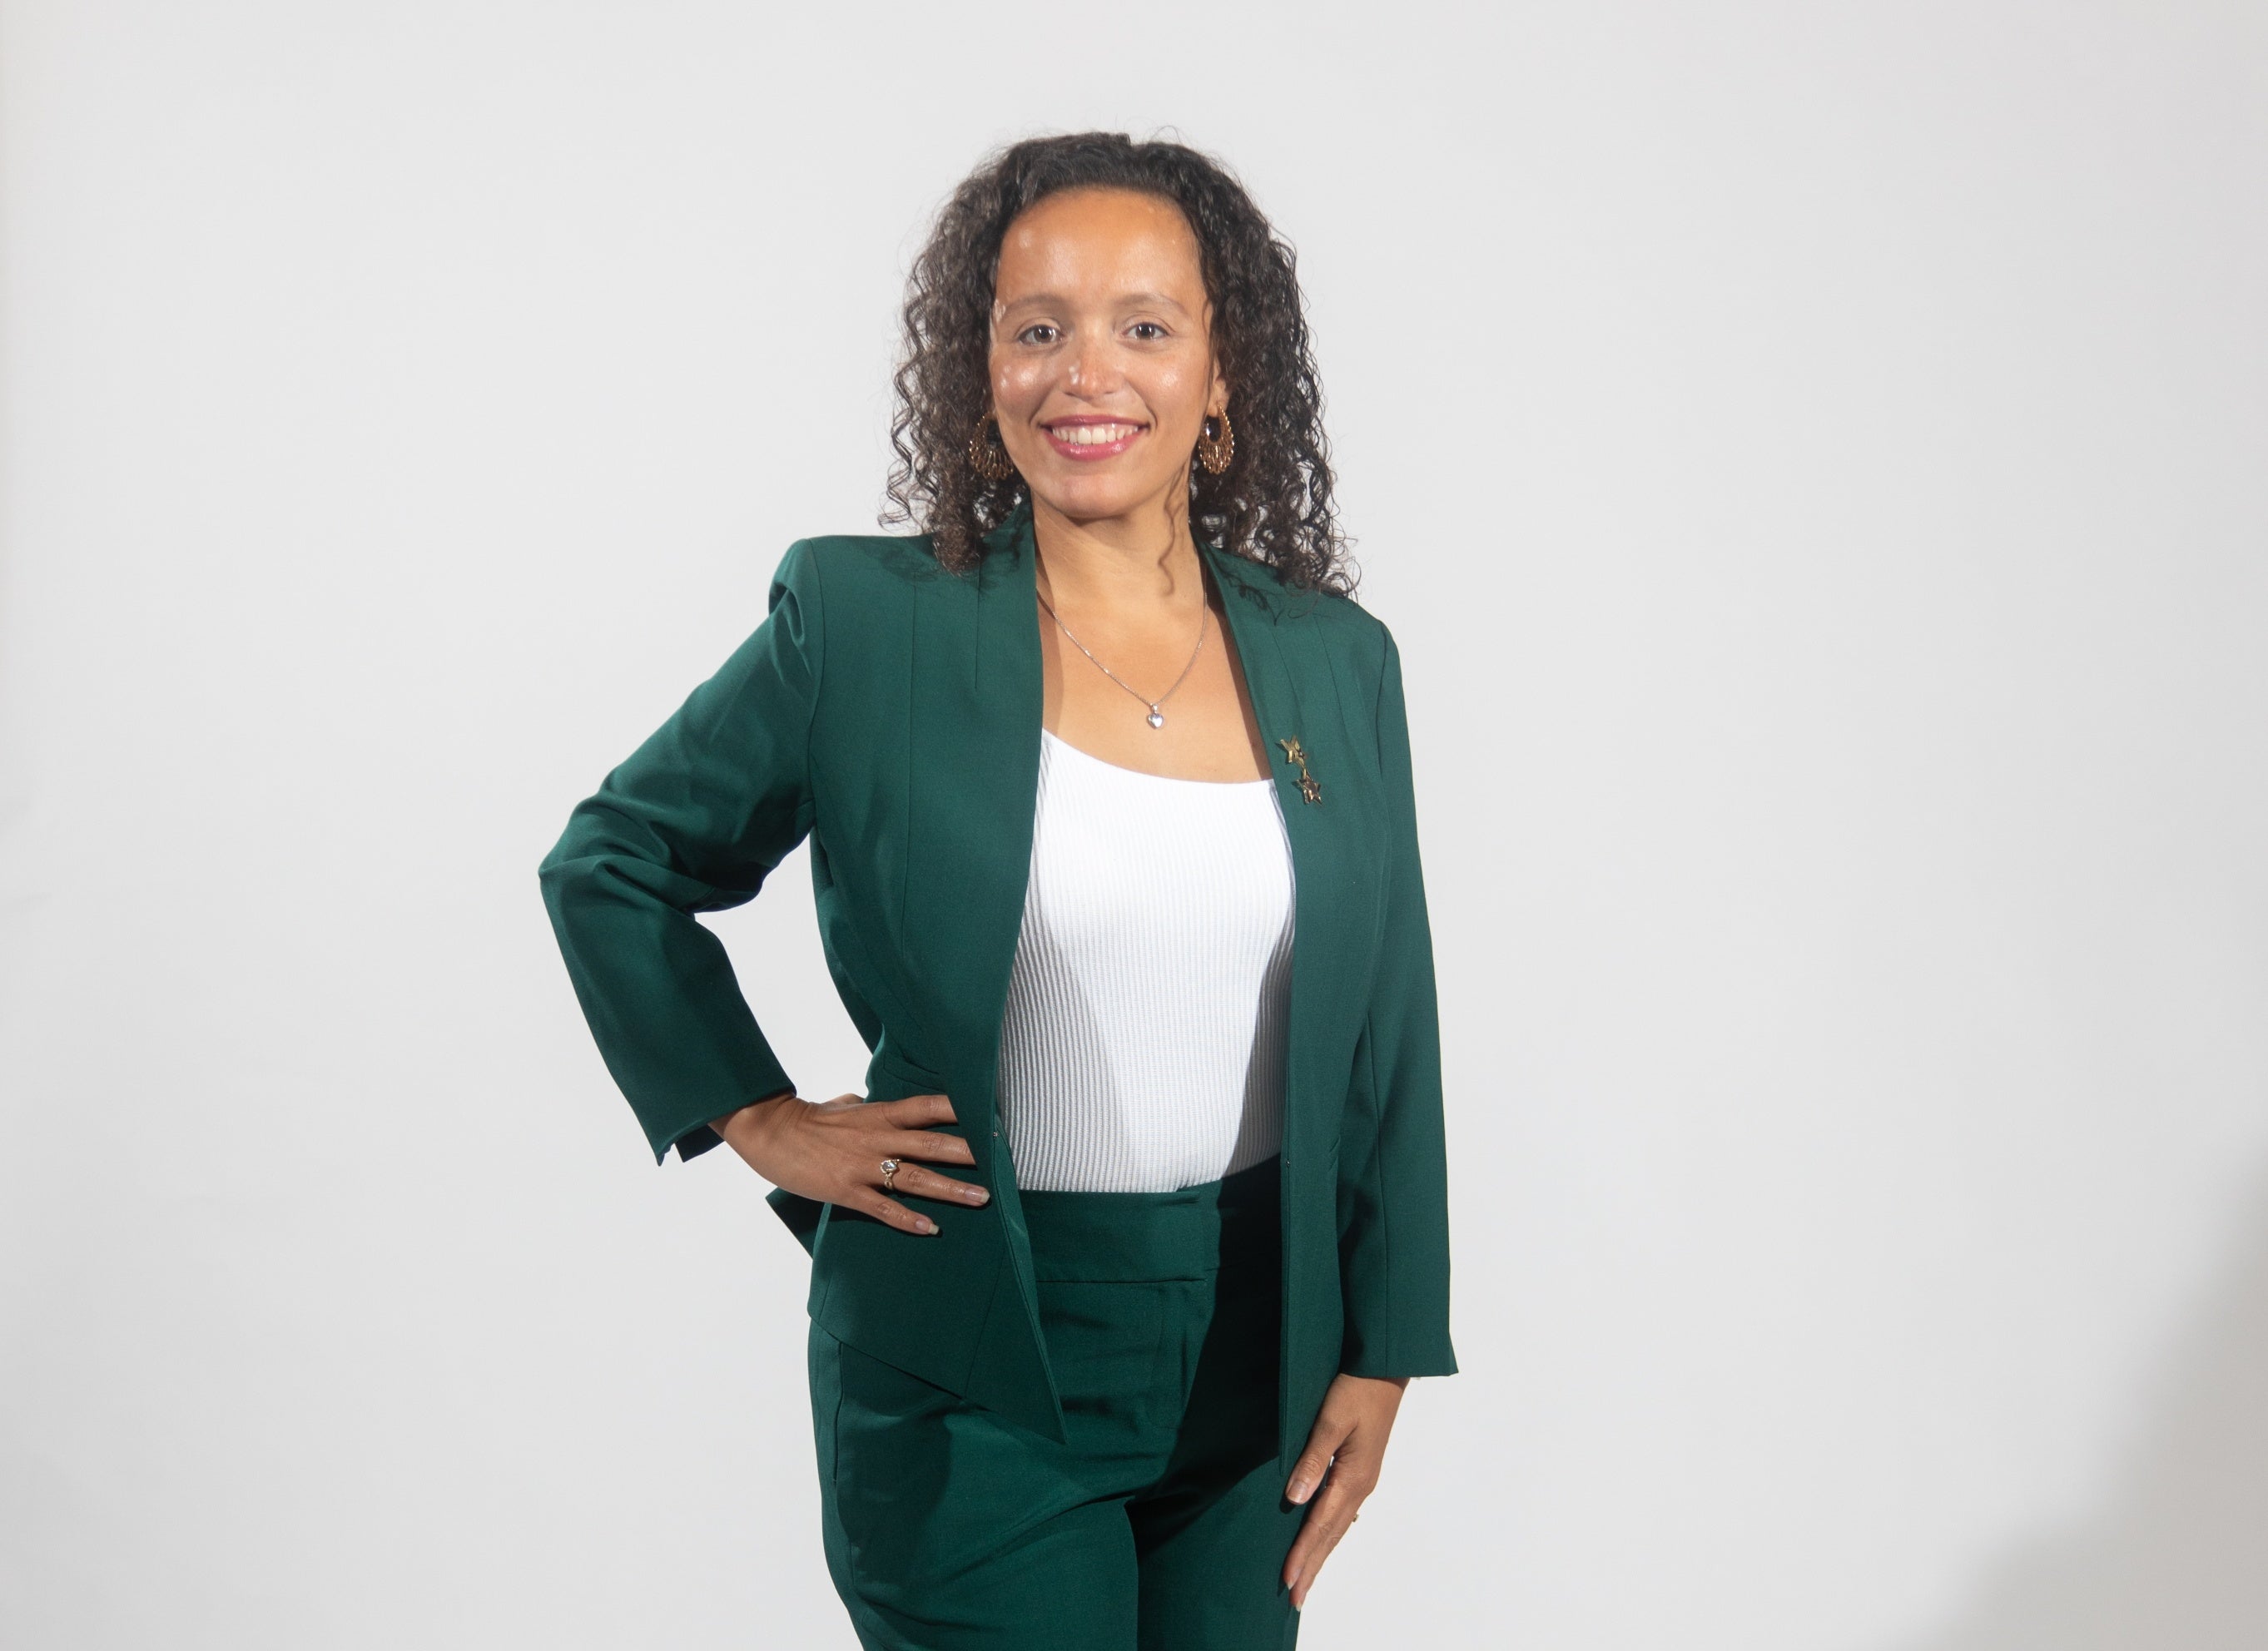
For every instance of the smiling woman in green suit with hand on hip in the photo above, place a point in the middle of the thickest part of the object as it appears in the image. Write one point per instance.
(1128, 1253)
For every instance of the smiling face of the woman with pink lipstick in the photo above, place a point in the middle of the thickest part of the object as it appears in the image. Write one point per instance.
(1101, 353)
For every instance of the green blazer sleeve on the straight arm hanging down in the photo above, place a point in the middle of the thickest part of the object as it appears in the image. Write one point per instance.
(1394, 1196)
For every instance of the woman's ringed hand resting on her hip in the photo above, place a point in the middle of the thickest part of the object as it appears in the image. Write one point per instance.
(833, 1151)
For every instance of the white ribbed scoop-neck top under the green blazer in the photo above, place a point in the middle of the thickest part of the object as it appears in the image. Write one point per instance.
(1144, 1035)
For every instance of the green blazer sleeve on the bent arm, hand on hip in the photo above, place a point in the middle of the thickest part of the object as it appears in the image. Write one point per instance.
(693, 822)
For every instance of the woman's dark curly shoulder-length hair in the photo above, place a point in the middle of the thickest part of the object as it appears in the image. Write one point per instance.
(1273, 502)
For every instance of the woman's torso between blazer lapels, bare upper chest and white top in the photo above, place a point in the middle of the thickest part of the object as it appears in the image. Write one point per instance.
(1144, 1033)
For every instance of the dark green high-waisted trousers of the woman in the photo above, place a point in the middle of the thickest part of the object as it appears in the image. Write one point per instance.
(1160, 1527)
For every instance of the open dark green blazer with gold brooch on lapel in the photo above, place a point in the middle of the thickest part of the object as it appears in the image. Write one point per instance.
(890, 711)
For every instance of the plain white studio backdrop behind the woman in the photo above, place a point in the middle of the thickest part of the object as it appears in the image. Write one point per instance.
(1816, 462)
